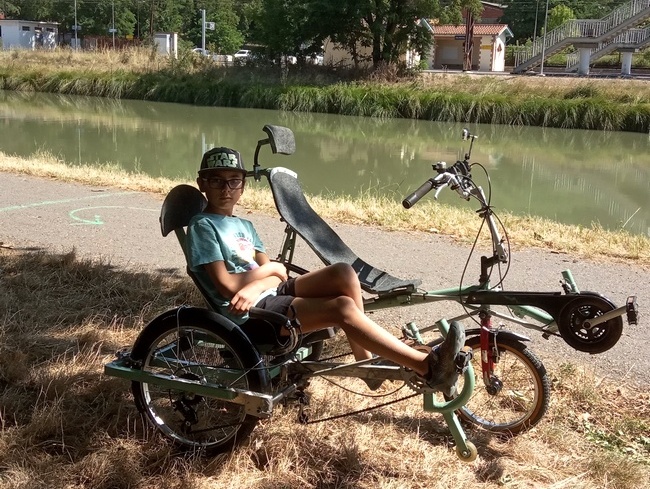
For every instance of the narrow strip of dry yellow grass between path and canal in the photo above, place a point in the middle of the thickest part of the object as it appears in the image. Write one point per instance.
(428, 216)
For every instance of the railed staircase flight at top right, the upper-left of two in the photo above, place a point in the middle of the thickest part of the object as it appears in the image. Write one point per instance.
(597, 31)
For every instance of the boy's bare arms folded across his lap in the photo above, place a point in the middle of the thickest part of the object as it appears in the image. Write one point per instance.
(244, 288)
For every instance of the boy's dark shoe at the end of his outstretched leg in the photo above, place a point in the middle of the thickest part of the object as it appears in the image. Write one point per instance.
(447, 361)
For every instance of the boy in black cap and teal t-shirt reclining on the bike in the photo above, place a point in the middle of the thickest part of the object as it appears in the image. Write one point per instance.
(228, 258)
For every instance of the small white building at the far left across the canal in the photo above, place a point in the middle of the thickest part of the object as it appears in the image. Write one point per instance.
(28, 34)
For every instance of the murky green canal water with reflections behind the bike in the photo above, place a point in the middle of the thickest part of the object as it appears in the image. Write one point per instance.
(571, 176)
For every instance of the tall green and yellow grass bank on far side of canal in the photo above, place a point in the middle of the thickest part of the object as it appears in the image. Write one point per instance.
(619, 105)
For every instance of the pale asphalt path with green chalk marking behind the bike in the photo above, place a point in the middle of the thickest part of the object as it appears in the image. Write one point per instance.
(122, 227)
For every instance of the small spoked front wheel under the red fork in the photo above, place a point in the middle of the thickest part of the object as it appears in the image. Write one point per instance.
(519, 394)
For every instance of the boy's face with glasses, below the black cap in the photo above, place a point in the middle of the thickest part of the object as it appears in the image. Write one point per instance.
(218, 188)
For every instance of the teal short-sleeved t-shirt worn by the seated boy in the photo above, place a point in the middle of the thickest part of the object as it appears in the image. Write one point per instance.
(232, 240)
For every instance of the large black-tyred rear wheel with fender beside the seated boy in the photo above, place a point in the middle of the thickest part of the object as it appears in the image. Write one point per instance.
(190, 421)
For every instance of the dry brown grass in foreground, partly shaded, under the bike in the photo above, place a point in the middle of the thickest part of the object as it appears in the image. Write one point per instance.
(63, 424)
